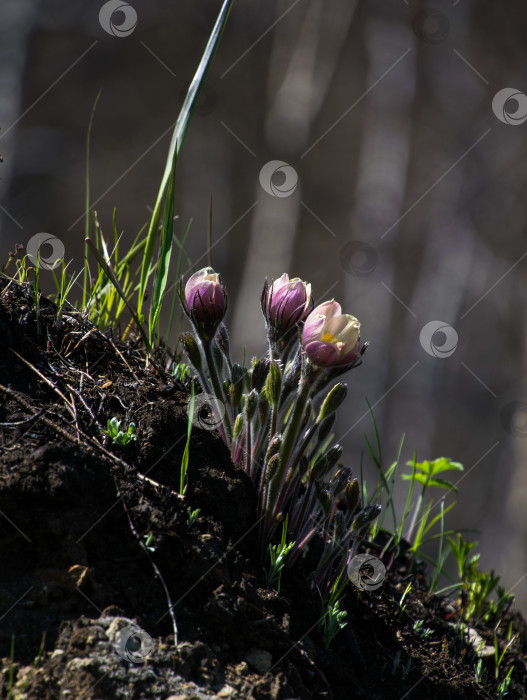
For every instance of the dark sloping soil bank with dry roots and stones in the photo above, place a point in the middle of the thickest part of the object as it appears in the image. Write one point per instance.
(101, 569)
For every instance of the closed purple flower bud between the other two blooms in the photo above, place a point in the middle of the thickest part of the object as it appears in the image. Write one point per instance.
(286, 302)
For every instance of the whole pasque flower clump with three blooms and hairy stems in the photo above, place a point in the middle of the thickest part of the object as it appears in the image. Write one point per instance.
(277, 416)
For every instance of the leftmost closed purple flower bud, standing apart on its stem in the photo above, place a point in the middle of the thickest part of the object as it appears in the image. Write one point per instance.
(206, 300)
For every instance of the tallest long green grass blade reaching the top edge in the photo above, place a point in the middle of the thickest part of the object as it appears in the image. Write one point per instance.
(178, 137)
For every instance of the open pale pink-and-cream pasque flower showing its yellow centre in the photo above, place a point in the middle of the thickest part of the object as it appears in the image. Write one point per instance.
(331, 338)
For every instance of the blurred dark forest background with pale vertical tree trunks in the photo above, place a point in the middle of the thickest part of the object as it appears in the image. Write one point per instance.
(410, 205)
